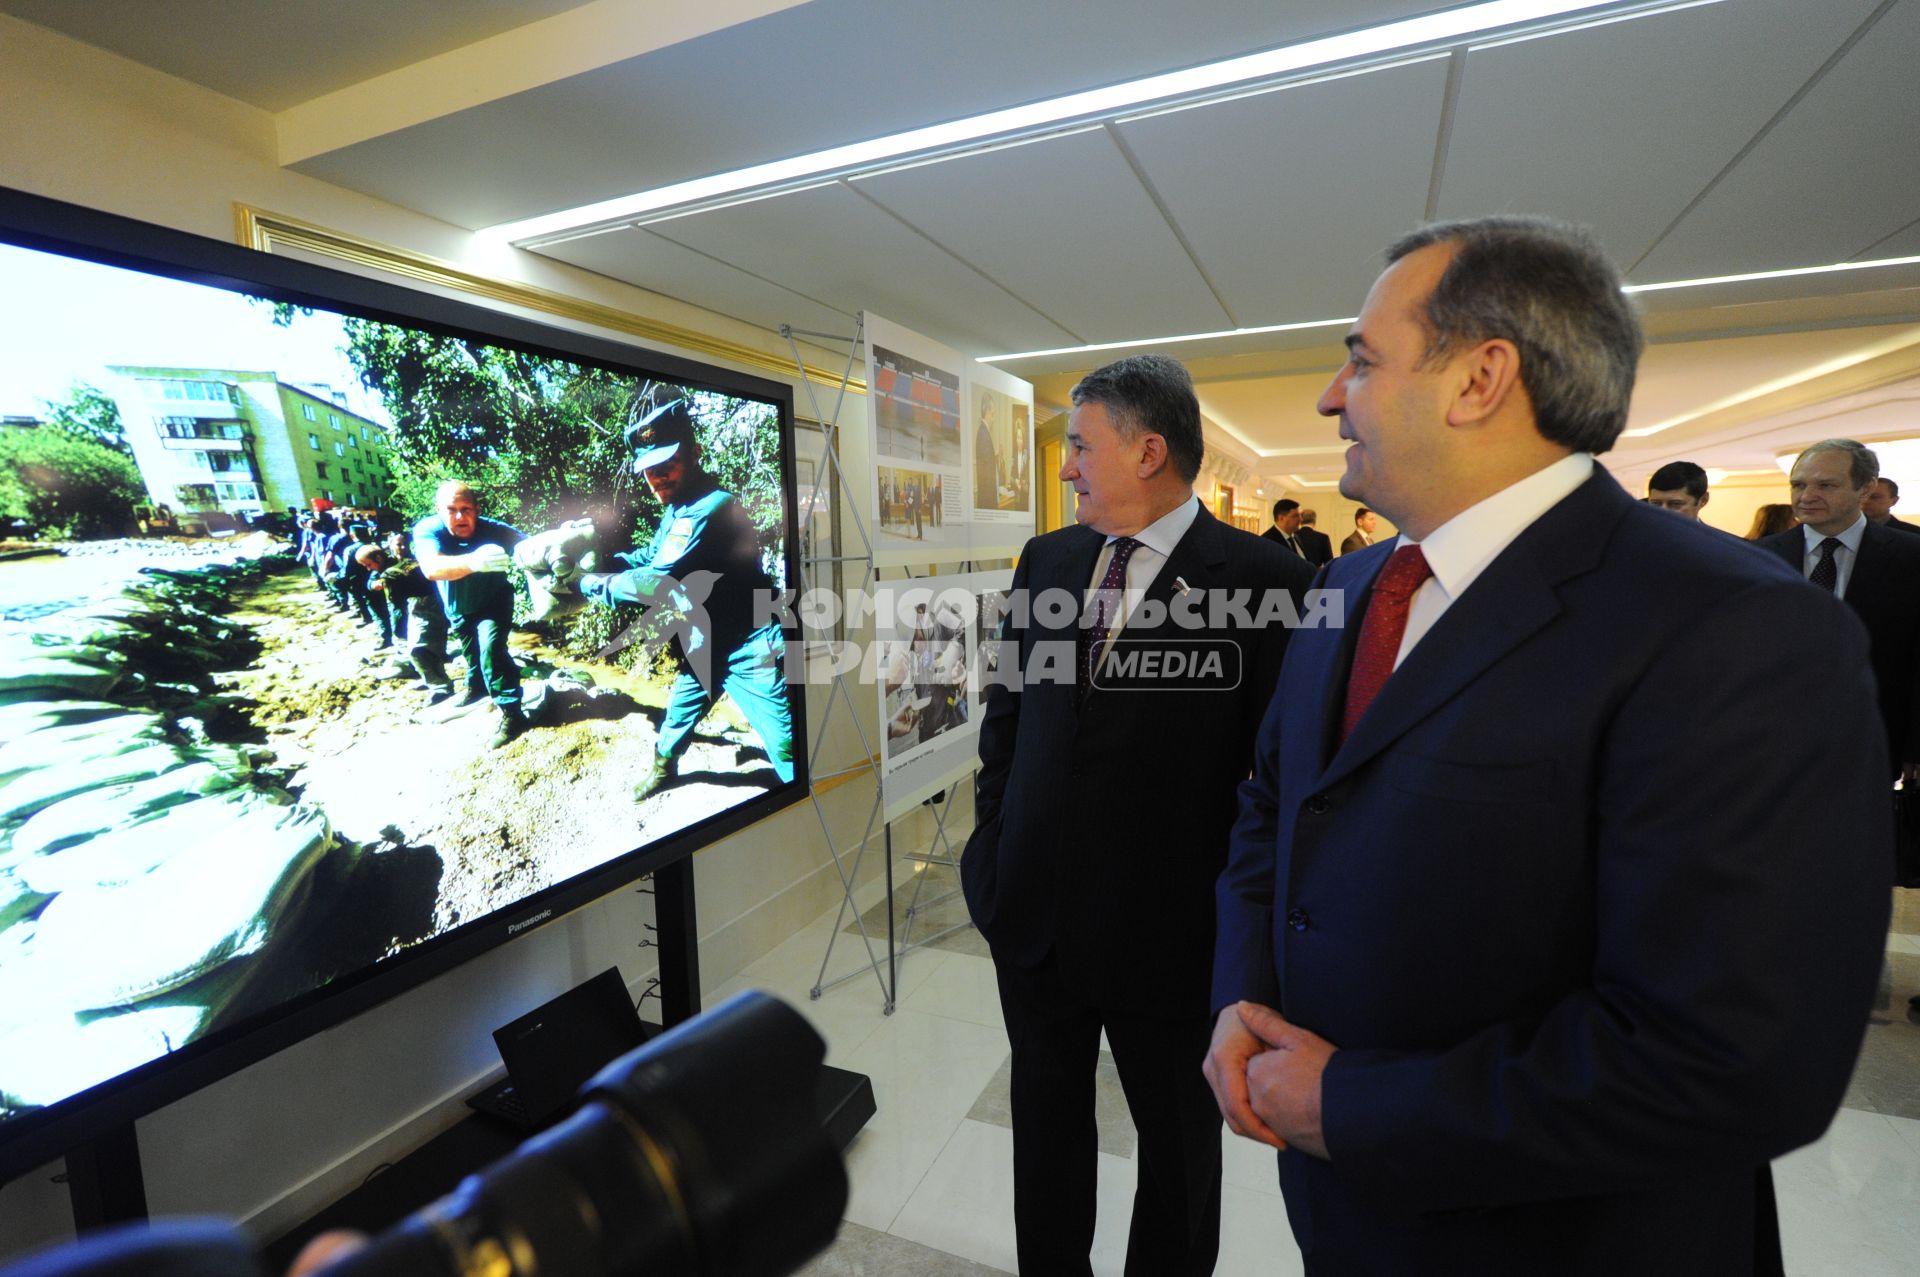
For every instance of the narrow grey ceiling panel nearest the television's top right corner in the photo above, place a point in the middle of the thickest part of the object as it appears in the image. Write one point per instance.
(646, 260)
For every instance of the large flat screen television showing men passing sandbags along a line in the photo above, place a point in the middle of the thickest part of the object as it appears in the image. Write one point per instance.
(235, 804)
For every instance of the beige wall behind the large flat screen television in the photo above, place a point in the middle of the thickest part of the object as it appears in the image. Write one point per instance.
(283, 1138)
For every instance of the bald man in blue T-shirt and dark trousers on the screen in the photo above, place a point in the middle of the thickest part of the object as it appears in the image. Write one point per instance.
(469, 556)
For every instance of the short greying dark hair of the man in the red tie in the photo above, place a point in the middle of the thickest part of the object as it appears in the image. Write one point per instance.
(1548, 289)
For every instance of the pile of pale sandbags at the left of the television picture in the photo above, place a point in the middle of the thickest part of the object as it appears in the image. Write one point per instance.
(145, 865)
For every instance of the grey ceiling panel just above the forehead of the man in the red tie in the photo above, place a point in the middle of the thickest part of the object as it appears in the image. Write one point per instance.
(1289, 197)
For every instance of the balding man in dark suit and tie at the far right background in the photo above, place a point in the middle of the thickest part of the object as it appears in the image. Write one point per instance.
(1873, 569)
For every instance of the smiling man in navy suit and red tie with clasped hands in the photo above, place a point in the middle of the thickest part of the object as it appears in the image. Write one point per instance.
(1522, 980)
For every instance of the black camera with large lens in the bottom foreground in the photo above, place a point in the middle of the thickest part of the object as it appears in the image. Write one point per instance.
(700, 1153)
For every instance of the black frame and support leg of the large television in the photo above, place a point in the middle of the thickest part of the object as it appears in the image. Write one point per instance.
(99, 1122)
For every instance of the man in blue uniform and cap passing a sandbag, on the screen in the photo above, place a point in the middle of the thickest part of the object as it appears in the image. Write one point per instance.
(704, 562)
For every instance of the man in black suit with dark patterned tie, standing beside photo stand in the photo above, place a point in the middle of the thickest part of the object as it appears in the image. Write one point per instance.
(1103, 809)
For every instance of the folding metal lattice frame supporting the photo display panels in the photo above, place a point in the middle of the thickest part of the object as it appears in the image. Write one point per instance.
(852, 857)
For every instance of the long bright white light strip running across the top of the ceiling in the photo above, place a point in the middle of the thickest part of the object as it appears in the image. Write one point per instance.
(1093, 103)
